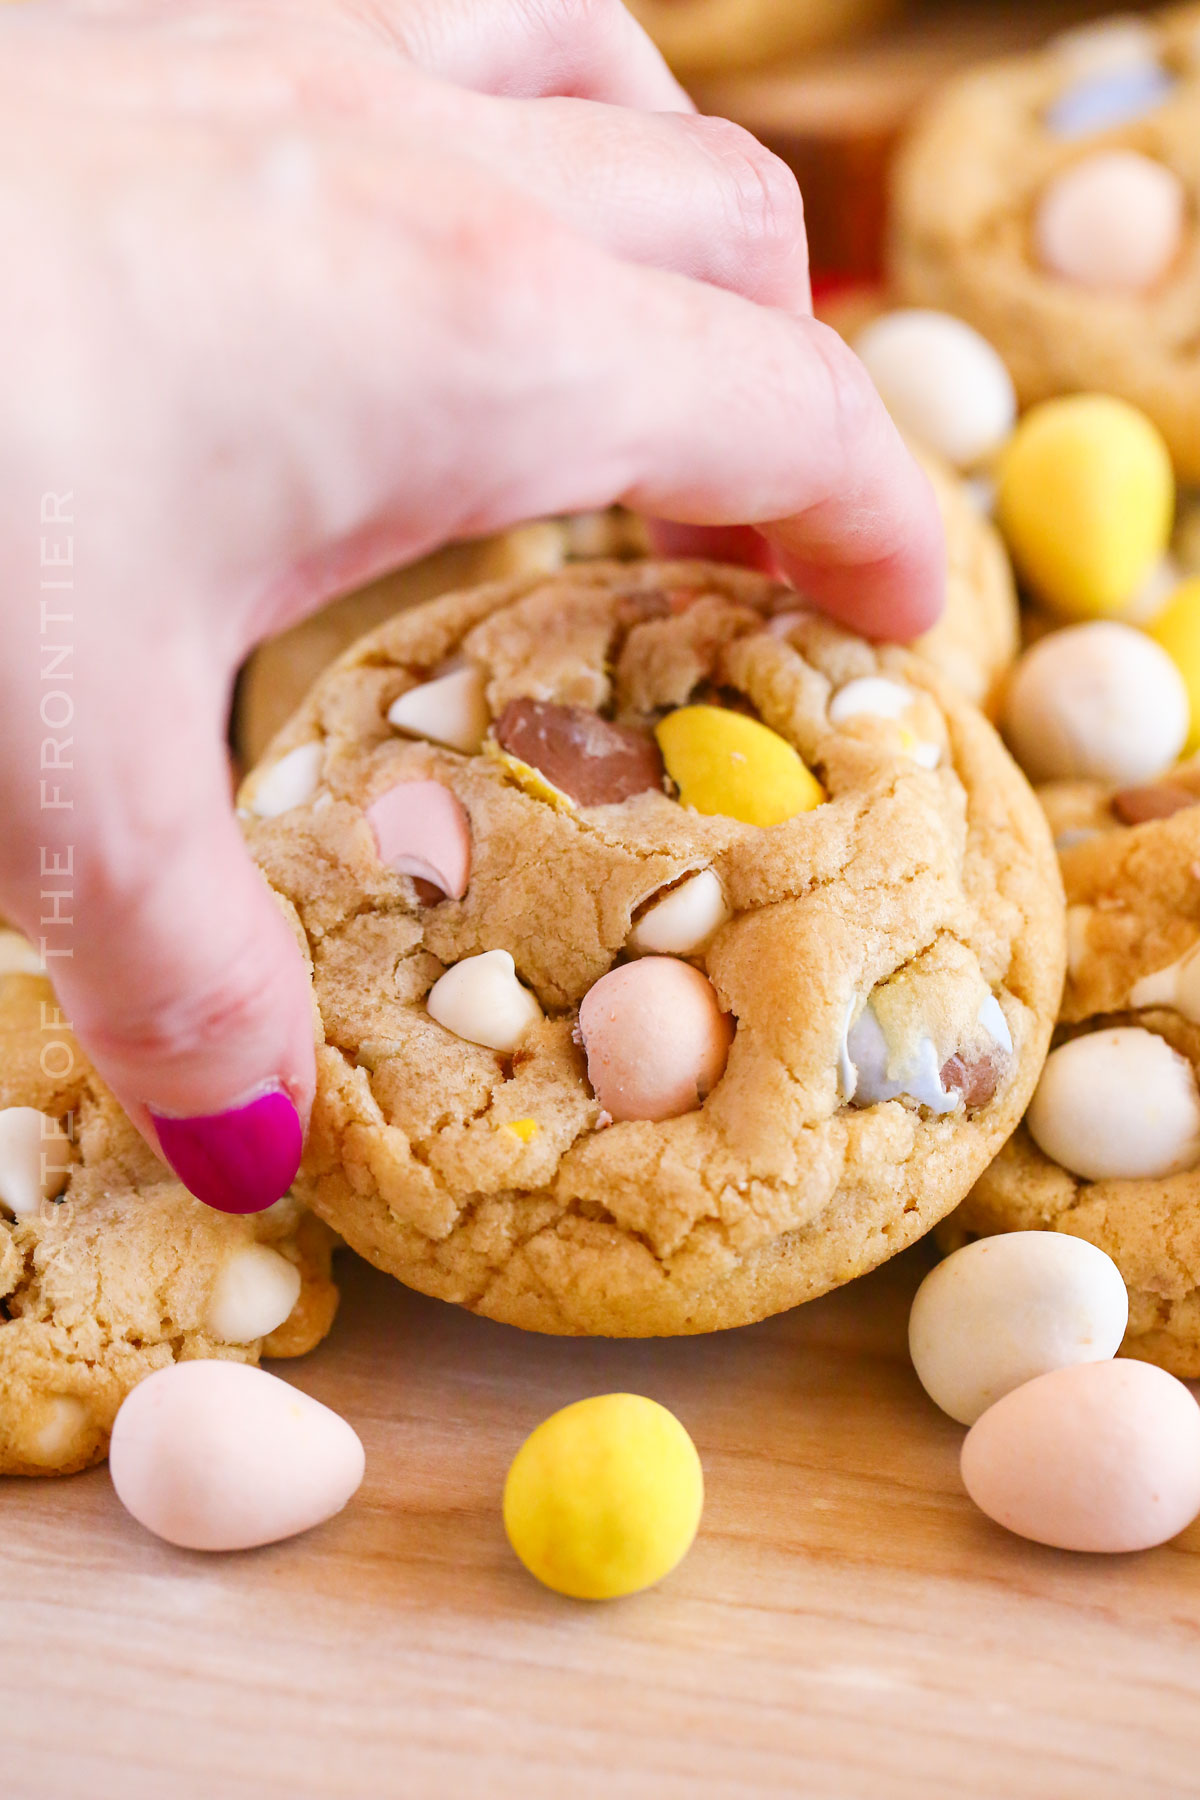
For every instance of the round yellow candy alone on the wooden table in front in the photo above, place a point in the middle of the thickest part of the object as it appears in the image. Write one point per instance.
(605, 1497)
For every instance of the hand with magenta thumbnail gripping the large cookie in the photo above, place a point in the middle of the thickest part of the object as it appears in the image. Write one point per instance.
(294, 292)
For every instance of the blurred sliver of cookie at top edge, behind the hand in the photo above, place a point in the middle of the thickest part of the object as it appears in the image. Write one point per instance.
(704, 37)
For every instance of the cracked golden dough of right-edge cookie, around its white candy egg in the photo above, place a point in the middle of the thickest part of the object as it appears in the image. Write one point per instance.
(1134, 921)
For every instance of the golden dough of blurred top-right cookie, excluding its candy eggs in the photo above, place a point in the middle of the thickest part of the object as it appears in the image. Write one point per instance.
(965, 206)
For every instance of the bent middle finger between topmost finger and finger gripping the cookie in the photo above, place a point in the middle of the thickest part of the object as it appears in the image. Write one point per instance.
(694, 195)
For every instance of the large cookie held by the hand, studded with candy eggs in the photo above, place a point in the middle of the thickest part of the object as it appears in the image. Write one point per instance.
(706, 971)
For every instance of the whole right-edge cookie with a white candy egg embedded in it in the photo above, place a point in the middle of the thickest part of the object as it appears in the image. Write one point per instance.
(1111, 1149)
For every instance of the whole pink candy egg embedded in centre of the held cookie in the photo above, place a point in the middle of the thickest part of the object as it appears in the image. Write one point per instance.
(656, 1039)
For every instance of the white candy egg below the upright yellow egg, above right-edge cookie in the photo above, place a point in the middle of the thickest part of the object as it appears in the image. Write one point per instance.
(1100, 703)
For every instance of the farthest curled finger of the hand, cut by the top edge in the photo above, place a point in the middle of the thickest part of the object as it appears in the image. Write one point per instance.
(591, 49)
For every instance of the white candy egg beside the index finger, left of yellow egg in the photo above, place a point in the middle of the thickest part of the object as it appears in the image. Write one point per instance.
(942, 382)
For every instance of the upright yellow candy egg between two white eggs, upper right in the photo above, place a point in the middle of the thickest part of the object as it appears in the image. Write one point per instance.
(1086, 499)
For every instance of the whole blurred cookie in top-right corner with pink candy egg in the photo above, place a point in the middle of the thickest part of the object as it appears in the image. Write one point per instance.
(1050, 201)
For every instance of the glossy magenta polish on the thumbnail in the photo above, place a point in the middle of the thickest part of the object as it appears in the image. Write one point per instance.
(237, 1162)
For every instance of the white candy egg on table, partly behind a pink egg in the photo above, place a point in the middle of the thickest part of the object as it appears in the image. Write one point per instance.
(1005, 1309)
